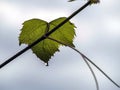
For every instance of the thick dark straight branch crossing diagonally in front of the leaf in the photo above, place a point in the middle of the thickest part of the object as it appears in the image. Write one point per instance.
(47, 34)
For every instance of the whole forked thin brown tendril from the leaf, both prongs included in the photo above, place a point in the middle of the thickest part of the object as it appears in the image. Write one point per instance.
(86, 58)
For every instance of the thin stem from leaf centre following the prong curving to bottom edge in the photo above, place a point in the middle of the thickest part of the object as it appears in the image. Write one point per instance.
(94, 76)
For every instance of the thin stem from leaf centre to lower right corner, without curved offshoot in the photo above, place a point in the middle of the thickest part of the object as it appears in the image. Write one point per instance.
(85, 57)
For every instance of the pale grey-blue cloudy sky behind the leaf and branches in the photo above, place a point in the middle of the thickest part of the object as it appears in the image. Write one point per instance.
(98, 37)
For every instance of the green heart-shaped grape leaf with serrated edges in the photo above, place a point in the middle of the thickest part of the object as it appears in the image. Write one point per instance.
(35, 28)
